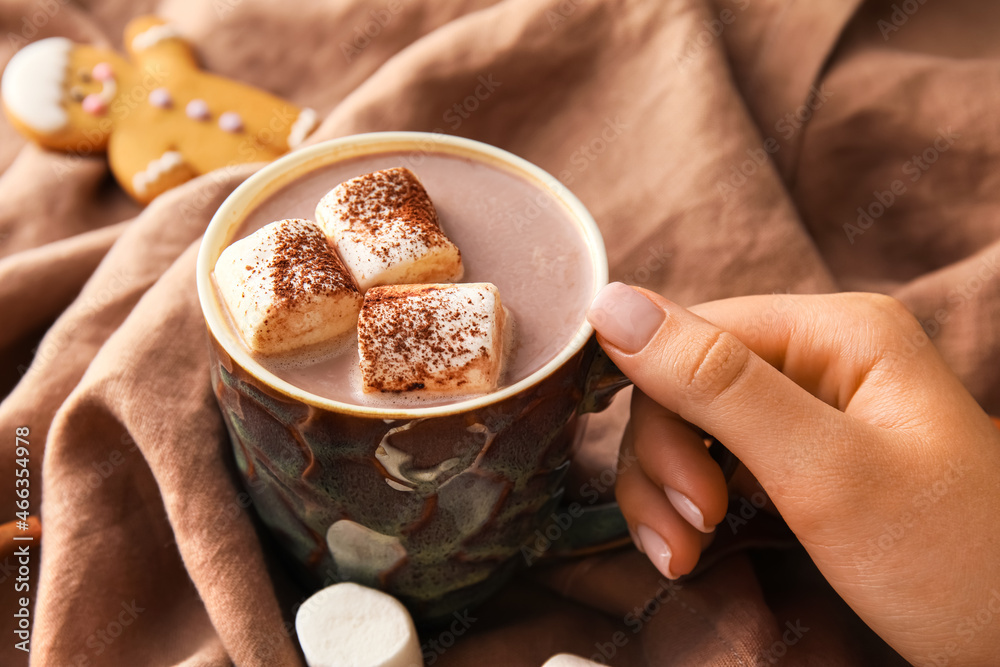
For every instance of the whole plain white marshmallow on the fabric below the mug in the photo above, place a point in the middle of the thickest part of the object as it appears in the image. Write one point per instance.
(347, 625)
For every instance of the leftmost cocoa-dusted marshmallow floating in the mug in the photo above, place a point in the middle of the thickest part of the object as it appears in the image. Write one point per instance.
(285, 288)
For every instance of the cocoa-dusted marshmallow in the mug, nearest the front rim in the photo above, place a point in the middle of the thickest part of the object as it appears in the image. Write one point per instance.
(447, 338)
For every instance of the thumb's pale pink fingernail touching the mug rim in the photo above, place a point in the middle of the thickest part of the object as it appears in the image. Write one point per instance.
(625, 317)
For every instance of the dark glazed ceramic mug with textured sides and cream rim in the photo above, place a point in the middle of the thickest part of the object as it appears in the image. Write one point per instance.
(434, 505)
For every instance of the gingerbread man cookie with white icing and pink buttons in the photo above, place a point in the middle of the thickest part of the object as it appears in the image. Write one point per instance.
(160, 118)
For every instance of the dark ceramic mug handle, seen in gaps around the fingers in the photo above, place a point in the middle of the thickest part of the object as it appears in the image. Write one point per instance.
(602, 527)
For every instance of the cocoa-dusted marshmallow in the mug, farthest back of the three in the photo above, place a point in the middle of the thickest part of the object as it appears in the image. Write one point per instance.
(386, 230)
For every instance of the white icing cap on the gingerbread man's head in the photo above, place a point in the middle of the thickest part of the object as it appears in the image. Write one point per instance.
(34, 82)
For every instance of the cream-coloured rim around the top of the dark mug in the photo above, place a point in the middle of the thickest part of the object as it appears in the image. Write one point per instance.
(271, 178)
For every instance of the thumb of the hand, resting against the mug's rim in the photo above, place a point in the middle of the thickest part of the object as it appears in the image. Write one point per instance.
(711, 379)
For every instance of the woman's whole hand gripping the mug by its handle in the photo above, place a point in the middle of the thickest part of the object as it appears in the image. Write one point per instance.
(876, 456)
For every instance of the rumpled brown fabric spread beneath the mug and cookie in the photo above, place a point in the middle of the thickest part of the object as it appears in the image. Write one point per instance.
(649, 117)
